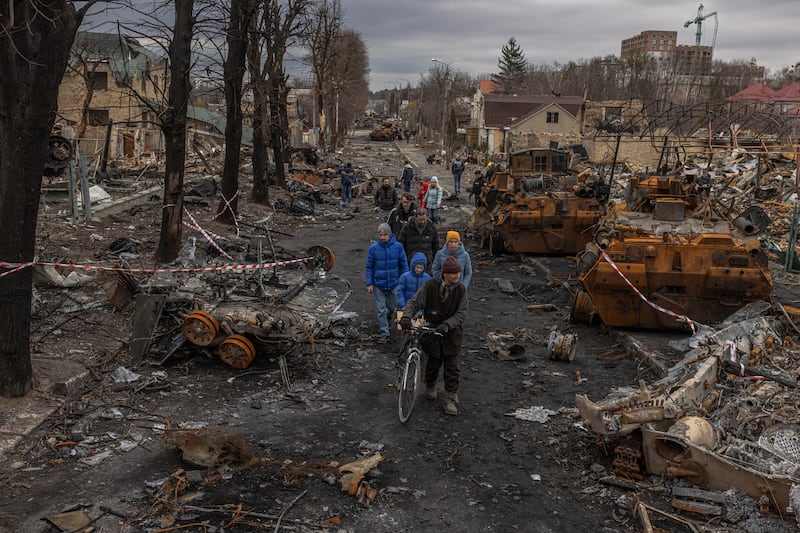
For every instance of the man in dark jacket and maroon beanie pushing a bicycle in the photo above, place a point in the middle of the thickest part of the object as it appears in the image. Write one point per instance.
(443, 300)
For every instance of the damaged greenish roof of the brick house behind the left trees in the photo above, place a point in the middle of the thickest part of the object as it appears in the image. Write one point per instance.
(126, 57)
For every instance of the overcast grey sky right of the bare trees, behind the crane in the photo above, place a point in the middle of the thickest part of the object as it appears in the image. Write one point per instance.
(403, 35)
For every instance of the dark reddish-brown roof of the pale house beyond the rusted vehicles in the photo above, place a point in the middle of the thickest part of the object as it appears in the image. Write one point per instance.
(507, 109)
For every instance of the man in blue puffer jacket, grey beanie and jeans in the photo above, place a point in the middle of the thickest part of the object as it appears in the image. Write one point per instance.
(386, 262)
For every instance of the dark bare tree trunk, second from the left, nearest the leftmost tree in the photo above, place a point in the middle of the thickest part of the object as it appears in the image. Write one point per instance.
(174, 128)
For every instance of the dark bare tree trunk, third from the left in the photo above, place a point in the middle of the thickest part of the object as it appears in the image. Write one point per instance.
(241, 13)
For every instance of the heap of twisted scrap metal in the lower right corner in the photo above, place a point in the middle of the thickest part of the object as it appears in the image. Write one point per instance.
(725, 417)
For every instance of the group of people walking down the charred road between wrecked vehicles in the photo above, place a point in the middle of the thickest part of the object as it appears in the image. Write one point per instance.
(410, 273)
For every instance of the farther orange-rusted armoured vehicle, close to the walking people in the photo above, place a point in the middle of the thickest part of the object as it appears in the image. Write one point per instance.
(539, 206)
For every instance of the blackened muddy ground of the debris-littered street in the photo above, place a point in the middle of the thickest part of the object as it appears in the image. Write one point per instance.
(484, 470)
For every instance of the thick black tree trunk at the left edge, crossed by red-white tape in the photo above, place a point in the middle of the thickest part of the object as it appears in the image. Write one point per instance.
(33, 54)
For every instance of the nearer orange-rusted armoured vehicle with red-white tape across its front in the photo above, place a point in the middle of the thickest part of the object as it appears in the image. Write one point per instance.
(655, 262)
